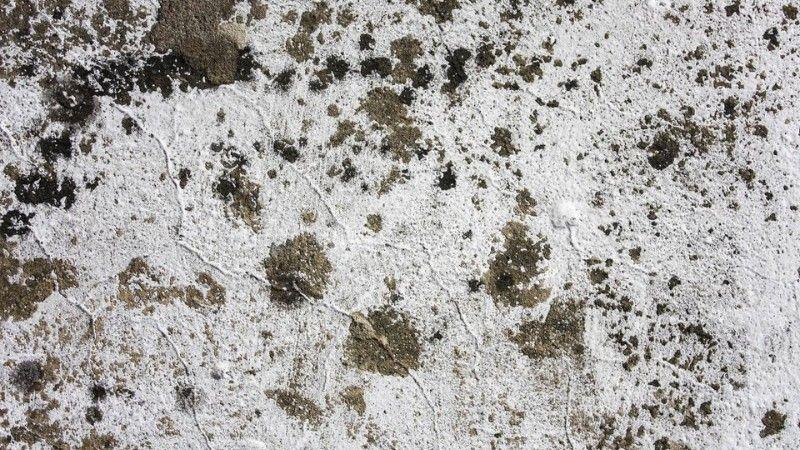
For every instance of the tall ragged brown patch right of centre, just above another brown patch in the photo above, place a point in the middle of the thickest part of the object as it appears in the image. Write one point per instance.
(512, 277)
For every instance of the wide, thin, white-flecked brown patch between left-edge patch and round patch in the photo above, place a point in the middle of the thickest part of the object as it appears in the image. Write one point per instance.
(141, 285)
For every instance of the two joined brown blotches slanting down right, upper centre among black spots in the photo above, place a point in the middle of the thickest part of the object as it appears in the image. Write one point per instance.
(385, 107)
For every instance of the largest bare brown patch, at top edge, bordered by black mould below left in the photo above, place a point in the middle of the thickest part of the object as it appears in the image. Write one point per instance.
(194, 29)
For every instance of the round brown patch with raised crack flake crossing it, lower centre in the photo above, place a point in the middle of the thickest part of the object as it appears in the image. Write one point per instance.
(384, 341)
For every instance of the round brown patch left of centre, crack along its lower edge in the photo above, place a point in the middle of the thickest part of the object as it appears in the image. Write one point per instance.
(297, 269)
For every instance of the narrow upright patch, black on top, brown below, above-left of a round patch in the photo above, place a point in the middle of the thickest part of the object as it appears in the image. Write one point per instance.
(240, 194)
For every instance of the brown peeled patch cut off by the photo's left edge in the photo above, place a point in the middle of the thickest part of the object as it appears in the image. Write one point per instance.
(25, 284)
